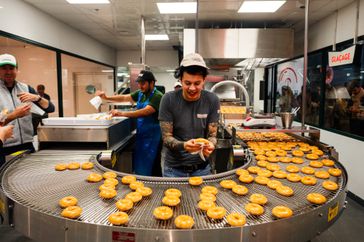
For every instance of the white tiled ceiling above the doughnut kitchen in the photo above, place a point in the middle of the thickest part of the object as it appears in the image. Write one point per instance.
(118, 24)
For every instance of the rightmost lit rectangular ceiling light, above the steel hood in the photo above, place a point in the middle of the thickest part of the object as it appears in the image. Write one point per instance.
(260, 6)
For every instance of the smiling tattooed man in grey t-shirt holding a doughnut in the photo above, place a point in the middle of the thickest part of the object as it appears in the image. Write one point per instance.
(186, 115)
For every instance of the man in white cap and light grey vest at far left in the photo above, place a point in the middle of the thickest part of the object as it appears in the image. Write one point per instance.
(16, 98)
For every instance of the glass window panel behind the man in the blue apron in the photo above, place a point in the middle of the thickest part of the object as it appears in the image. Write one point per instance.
(80, 79)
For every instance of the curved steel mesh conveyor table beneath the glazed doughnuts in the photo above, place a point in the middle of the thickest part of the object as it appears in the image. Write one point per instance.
(31, 188)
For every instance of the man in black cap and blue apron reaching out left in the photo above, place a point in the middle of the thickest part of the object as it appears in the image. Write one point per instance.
(148, 136)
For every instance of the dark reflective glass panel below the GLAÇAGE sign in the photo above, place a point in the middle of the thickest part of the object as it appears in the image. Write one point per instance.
(344, 104)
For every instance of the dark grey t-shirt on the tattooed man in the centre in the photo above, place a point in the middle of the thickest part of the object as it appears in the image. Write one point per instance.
(190, 120)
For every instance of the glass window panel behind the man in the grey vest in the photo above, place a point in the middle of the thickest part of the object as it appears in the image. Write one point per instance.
(36, 66)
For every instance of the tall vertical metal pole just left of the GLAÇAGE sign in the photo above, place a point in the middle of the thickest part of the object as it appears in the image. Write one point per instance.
(307, 3)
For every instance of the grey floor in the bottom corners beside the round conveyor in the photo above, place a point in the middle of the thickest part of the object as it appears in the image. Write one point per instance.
(348, 228)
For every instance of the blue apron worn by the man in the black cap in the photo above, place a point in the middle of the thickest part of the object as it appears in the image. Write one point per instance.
(148, 137)
